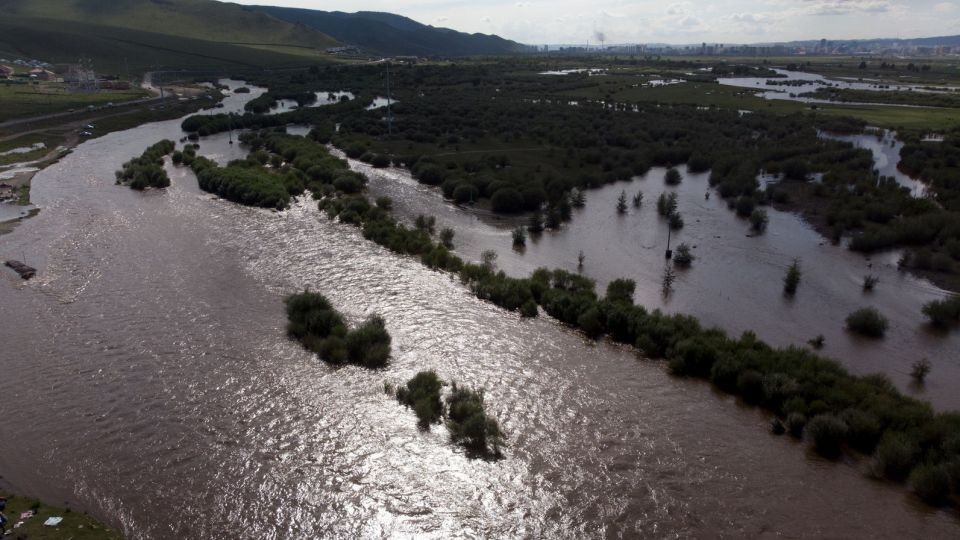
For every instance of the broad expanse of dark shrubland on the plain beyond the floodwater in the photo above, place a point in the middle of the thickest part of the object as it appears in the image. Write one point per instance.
(575, 135)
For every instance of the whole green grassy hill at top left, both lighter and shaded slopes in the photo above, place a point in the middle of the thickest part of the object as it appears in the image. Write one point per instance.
(146, 34)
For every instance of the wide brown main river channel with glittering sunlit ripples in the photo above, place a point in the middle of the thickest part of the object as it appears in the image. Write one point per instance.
(148, 379)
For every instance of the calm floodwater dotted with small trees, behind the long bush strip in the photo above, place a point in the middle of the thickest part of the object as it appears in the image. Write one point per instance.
(735, 283)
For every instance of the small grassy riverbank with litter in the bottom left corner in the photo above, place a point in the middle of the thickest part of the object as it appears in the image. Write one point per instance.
(26, 519)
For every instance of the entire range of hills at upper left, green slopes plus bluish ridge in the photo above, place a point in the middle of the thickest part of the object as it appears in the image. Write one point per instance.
(137, 35)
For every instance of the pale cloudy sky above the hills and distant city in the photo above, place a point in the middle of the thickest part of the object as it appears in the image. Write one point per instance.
(652, 21)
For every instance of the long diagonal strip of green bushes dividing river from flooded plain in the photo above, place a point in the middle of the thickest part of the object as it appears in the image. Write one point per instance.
(813, 397)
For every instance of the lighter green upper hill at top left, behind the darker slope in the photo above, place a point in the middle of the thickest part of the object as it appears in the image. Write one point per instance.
(199, 19)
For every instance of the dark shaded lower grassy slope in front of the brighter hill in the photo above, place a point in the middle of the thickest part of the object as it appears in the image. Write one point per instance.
(111, 49)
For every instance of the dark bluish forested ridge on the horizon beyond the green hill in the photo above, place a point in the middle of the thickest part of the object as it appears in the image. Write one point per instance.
(386, 33)
